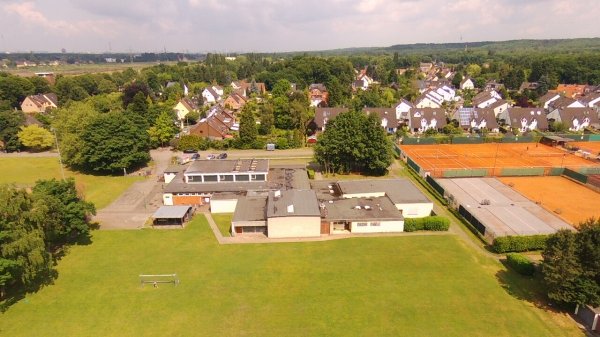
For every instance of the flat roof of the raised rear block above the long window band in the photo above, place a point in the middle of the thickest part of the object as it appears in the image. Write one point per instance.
(229, 166)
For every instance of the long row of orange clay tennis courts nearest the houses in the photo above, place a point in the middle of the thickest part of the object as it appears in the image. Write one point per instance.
(493, 157)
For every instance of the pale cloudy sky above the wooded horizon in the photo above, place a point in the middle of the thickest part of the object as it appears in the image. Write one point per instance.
(282, 25)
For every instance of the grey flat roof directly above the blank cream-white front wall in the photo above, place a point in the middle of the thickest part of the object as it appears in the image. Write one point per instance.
(292, 203)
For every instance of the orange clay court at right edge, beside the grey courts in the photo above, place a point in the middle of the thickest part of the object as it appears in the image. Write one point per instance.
(565, 198)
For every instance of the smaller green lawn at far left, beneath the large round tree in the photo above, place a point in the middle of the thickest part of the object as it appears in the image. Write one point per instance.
(24, 171)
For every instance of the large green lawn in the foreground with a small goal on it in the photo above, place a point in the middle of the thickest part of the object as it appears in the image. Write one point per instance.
(391, 286)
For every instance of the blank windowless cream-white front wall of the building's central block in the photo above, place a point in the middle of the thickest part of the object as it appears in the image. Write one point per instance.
(294, 227)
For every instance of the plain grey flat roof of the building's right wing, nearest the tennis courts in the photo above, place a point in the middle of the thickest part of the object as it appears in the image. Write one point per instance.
(398, 190)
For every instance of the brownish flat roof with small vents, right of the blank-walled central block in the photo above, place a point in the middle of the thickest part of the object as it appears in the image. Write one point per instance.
(376, 208)
